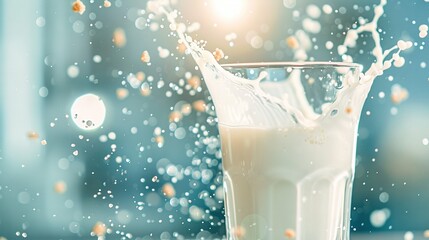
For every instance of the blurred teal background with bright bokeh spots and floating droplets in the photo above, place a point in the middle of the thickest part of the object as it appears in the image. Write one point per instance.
(143, 160)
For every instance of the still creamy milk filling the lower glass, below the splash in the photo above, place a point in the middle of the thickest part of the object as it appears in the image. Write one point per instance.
(279, 179)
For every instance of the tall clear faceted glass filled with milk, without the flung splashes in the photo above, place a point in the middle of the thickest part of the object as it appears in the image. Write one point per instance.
(288, 133)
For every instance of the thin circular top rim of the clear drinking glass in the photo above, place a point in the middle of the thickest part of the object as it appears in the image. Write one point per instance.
(319, 64)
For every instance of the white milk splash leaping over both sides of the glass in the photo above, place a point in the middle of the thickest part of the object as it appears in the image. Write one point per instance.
(235, 97)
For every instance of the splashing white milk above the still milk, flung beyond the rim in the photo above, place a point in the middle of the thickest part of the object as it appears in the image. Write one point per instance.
(220, 80)
